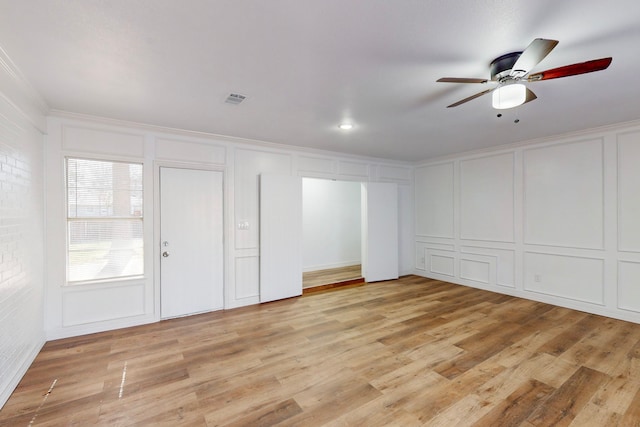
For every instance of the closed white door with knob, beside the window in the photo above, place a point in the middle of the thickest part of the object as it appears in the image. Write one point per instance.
(191, 241)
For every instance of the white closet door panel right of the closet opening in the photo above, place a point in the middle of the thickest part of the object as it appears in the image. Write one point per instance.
(379, 231)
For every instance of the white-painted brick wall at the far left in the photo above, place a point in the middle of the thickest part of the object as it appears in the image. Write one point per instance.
(21, 227)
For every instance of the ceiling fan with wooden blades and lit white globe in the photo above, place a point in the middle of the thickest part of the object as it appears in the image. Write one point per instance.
(512, 70)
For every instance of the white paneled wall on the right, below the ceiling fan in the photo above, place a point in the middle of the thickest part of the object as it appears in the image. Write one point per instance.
(554, 220)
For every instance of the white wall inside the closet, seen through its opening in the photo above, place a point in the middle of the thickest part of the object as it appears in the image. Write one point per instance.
(331, 224)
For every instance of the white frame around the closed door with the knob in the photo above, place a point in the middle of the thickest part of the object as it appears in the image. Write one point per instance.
(157, 164)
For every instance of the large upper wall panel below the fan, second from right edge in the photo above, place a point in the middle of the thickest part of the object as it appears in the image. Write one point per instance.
(564, 194)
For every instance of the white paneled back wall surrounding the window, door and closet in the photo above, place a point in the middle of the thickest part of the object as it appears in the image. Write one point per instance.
(81, 309)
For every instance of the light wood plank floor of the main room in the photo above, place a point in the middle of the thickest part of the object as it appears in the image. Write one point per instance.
(407, 352)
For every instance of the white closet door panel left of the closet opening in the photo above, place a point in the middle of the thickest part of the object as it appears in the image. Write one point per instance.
(280, 237)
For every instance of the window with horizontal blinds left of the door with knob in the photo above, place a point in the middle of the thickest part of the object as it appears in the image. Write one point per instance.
(104, 220)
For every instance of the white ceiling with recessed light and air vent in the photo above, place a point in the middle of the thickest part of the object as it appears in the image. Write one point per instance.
(305, 65)
